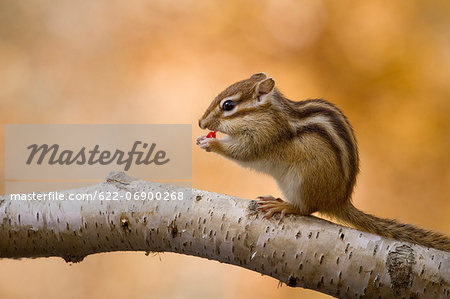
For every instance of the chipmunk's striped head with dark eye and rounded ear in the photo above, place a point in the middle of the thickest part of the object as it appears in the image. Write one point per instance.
(241, 107)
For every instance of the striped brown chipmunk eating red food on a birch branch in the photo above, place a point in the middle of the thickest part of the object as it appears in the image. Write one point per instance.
(309, 147)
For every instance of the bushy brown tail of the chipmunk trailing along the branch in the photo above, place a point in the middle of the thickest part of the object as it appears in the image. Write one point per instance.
(392, 229)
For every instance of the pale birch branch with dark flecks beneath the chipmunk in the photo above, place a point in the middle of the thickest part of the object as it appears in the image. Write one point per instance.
(300, 251)
